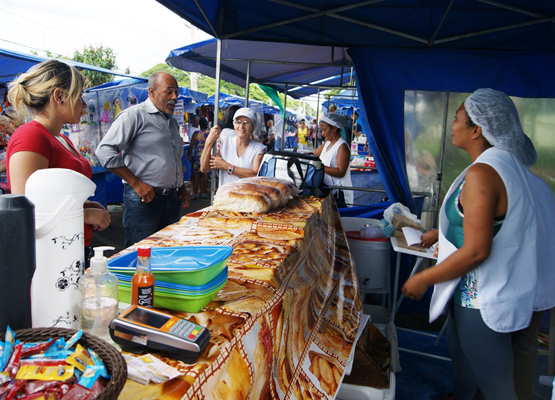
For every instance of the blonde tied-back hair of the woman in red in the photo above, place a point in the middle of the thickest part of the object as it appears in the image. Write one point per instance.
(33, 89)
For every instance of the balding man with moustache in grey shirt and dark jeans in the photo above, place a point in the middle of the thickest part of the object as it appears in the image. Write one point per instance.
(144, 148)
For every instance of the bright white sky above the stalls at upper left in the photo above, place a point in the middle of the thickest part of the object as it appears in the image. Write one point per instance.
(141, 32)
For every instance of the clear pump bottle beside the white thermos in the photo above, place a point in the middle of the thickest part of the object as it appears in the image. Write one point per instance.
(99, 296)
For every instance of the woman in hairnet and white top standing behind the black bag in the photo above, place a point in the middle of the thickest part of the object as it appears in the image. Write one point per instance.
(336, 156)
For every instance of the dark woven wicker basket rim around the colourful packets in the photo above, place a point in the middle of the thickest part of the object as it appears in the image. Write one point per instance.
(113, 360)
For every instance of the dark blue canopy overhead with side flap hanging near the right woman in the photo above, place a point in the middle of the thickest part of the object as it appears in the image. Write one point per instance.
(448, 45)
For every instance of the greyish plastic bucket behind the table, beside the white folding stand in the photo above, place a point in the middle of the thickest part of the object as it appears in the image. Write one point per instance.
(371, 257)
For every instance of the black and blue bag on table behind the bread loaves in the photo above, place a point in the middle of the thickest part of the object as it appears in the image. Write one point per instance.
(305, 170)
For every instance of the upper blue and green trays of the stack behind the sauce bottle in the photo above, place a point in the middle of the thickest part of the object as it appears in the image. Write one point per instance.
(187, 265)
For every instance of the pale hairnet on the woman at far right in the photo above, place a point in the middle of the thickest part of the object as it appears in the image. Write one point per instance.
(496, 114)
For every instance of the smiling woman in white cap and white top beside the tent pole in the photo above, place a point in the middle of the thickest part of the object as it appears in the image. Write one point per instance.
(239, 156)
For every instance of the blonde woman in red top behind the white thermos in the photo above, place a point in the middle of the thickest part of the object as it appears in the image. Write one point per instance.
(53, 92)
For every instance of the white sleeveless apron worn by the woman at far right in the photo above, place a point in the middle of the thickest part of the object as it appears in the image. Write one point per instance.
(517, 278)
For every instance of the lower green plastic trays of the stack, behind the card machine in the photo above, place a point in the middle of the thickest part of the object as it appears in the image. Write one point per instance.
(191, 300)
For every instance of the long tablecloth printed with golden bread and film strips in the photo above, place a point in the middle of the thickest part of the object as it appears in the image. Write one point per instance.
(283, 327)
